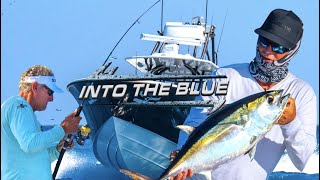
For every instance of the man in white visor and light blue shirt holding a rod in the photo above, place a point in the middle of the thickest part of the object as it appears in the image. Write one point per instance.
(26, 150)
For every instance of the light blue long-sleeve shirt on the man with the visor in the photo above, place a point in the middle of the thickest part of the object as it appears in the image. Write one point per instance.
(26, 151)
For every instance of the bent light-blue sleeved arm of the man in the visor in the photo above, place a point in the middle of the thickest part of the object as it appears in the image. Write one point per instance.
(25, 129)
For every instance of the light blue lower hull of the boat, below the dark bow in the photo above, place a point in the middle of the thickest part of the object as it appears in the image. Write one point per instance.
(123, 145)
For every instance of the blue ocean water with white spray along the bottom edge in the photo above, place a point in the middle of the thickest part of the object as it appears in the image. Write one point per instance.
(80, 164)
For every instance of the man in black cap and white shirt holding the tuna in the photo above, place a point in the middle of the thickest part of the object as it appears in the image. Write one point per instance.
(279, 40)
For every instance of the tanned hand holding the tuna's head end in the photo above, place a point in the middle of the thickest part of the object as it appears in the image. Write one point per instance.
(289, 113)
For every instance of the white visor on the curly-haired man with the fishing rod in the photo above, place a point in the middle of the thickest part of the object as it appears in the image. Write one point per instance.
(49, 81)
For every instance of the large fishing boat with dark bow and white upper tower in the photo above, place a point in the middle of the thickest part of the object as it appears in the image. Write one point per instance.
(136, 130)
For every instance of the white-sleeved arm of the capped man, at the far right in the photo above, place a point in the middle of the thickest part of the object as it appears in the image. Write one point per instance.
(300, 134)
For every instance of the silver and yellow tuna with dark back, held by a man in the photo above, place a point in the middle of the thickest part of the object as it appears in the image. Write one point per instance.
(226, 134)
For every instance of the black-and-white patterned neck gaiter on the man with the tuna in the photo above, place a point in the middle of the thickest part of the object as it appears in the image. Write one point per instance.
(271, 72)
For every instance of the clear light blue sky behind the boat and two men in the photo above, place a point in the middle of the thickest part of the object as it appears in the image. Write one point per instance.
(74, 38)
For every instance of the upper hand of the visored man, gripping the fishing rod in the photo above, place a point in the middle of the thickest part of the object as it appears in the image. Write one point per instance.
(70, 123)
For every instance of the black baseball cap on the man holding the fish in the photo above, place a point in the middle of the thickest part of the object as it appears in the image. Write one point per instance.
(282, 27)
